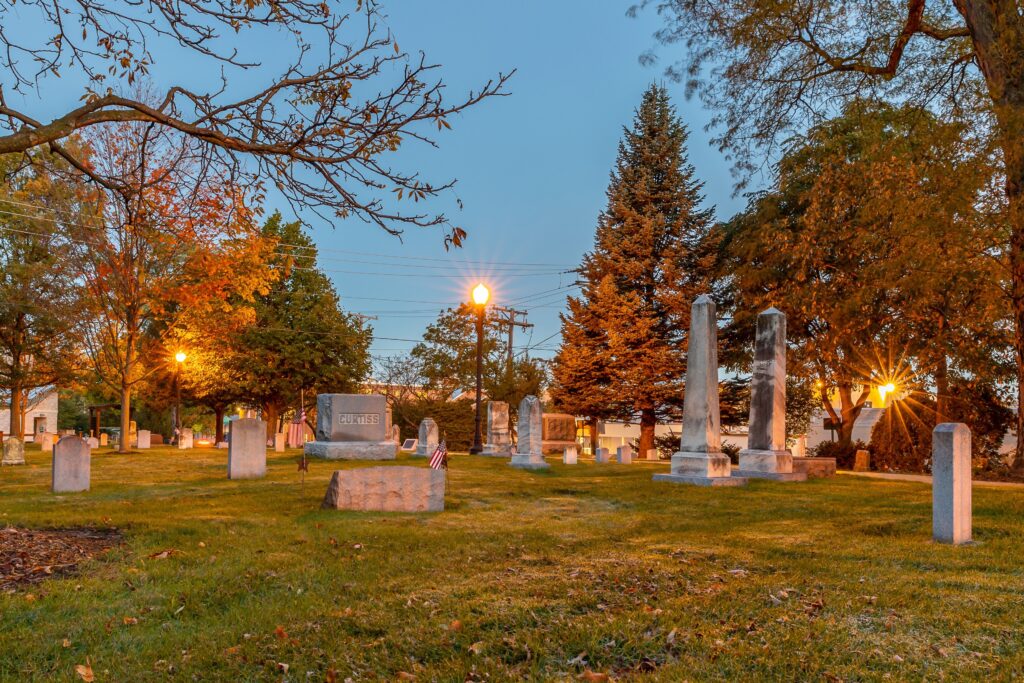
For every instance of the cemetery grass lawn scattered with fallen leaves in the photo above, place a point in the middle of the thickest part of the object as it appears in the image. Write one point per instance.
(583, 572)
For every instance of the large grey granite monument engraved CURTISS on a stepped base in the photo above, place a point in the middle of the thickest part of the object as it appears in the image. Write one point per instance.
(352, 428)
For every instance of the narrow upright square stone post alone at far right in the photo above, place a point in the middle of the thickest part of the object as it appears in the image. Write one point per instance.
(952, 484)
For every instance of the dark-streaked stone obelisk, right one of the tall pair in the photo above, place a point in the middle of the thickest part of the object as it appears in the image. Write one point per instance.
(766, 456)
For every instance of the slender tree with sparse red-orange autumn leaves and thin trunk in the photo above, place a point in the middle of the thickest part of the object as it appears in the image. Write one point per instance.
(170, 242)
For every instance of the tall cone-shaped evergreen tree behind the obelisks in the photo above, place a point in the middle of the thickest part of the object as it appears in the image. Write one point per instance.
(623, 354)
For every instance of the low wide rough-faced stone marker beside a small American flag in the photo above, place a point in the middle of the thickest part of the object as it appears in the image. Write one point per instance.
(387, 489)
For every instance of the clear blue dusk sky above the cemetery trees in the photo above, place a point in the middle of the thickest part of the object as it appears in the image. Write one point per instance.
(532, 168)
